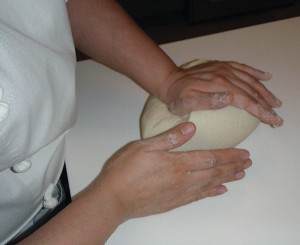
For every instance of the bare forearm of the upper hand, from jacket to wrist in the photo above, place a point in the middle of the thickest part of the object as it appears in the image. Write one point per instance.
(102, 30)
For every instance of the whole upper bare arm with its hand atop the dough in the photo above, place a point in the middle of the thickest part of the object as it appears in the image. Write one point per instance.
(104, 31)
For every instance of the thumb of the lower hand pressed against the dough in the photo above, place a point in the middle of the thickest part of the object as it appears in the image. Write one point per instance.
(173, 137)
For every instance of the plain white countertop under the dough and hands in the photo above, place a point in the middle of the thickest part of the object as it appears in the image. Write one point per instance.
(263, 208)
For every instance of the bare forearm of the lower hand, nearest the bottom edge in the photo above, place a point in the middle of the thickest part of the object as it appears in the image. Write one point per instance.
(90, 219)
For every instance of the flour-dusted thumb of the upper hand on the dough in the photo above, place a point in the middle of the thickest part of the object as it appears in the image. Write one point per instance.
(201, 101)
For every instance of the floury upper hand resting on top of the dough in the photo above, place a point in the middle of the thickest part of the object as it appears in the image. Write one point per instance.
(215, 84)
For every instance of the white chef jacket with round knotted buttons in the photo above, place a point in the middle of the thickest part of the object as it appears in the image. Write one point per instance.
(37, 105)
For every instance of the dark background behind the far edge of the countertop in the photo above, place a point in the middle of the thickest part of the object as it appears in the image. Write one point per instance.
(172, 20)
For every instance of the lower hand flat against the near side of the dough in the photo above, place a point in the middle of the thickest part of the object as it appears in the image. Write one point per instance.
(146, 178)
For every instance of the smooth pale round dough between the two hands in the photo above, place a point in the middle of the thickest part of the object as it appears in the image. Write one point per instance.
(215, 129)
